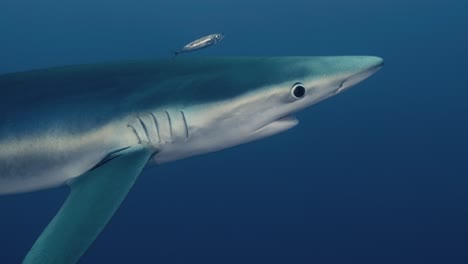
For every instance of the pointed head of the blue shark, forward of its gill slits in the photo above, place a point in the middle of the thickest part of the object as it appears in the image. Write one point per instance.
(253, 98)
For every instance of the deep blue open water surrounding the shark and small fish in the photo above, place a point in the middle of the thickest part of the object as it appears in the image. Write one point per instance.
(378, 174)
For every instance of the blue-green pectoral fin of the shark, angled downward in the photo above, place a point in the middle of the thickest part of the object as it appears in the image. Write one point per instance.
(93, 199)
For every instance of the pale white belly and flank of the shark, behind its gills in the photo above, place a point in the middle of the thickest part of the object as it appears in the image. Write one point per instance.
(36, 163)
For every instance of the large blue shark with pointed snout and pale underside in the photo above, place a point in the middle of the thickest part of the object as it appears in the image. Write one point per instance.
(96, 127)
